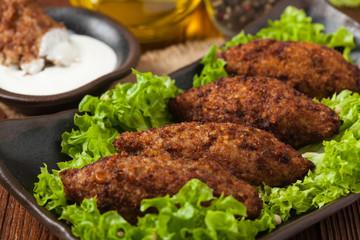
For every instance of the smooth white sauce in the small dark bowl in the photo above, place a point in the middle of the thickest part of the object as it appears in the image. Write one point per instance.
(94, 60)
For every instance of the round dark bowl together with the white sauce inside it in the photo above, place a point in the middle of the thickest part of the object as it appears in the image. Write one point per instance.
(64, 86)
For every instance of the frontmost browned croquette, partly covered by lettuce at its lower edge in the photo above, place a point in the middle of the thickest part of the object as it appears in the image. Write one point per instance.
(120, 182)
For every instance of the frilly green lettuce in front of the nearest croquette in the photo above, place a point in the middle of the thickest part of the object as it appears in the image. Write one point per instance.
(181, 216)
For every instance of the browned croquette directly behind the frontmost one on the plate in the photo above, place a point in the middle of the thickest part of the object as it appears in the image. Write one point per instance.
(251, 154)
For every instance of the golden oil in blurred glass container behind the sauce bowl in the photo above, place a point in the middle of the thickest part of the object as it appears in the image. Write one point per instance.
(148, 20)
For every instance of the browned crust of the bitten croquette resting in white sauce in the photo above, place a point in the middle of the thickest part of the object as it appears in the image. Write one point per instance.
(22, 24)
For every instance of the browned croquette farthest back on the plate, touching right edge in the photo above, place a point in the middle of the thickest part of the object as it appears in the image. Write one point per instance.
(313, 69)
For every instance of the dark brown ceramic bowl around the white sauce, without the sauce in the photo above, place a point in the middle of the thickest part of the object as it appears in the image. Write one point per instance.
(94, 24)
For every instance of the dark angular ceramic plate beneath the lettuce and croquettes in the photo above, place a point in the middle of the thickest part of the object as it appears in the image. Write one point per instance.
(25, 145)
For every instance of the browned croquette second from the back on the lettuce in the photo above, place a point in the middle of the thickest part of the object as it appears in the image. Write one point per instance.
(260, 102)
